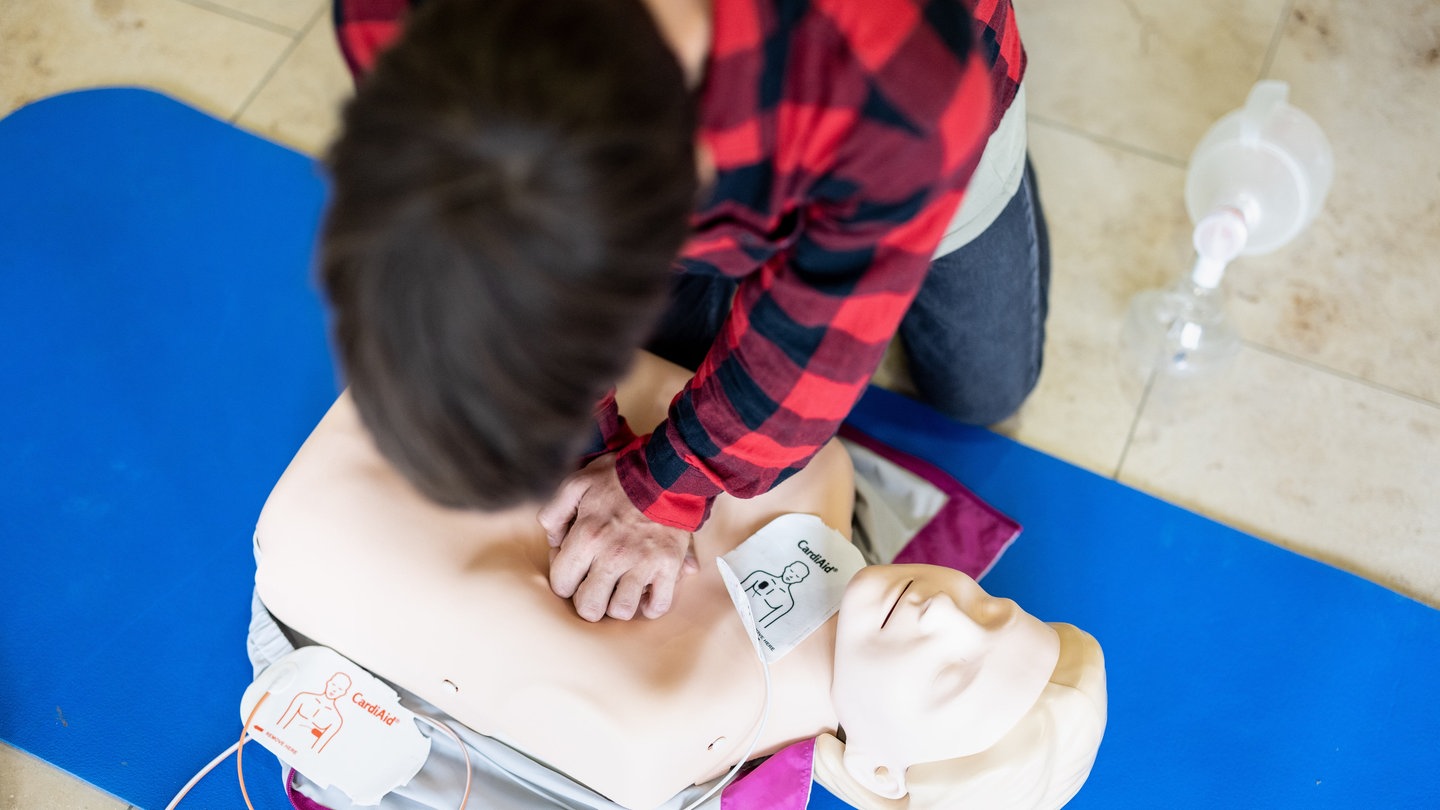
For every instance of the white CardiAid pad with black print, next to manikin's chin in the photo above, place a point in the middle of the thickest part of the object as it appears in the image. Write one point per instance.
(788, 579)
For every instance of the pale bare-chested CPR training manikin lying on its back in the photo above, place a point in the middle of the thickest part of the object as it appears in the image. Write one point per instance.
(921, 668)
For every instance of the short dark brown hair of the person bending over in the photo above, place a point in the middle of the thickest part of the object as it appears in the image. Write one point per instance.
(509, 191)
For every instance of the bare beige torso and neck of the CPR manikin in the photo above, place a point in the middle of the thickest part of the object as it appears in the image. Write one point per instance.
(456, 606)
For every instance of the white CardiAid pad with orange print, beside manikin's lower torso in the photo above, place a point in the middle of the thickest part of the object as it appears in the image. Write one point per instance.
(336, 724)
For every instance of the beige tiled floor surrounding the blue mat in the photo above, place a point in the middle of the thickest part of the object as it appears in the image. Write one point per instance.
(1326, 437)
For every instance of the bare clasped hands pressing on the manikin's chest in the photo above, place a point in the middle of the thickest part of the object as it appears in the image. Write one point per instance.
(606, 554)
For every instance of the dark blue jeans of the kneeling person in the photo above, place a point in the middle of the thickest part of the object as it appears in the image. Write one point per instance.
(974, 335)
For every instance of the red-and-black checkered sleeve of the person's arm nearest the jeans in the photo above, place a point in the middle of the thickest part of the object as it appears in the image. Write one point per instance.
(883, 174)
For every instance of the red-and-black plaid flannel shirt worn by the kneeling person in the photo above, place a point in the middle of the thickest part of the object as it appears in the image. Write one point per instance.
(843, 135)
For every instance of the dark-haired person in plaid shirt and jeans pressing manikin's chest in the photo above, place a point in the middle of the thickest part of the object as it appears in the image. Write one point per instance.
(765, 192)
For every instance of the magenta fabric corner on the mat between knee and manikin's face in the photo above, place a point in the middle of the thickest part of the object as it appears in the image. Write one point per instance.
(967, 534)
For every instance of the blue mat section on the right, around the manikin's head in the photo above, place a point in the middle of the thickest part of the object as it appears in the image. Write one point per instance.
(1241, 675)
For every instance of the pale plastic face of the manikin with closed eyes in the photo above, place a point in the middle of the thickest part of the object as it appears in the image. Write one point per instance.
(930, 667)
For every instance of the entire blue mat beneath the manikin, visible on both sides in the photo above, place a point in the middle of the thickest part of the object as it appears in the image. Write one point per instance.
(166, 357)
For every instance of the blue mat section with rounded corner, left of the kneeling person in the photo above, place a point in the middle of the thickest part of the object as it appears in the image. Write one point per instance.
(165, 357)
